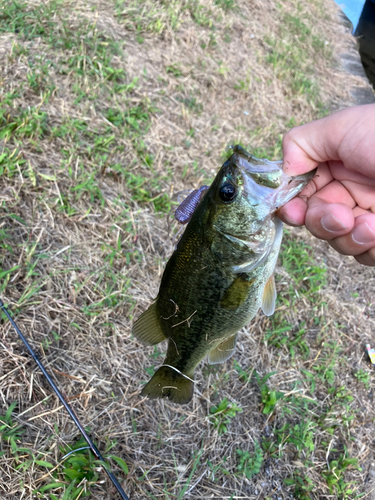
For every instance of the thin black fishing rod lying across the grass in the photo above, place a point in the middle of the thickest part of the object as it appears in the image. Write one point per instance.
(92, 446)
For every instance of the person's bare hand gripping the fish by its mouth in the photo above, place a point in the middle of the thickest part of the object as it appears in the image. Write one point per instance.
(338, 205)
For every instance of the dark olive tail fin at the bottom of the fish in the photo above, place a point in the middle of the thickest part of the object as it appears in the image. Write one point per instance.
(171, 384)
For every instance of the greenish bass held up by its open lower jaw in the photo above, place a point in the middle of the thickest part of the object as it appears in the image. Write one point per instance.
(220, 273)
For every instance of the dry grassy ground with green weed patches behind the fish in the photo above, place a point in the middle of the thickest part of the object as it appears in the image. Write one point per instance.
(106, 110)
